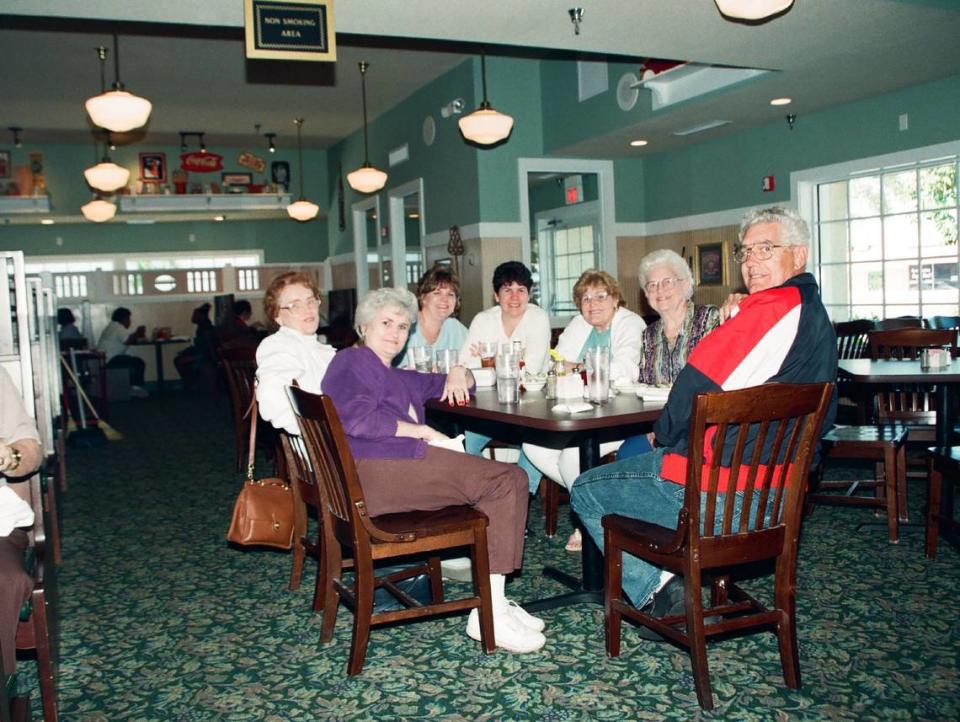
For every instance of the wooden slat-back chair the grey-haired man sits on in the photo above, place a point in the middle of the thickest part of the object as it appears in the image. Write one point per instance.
(785, 419)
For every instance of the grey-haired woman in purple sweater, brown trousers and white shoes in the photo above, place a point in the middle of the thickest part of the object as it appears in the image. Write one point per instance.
(382, 412)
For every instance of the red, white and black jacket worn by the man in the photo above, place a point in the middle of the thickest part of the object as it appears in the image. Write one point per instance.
(781, 335)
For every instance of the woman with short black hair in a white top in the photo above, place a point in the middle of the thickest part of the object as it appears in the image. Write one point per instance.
(513, 318)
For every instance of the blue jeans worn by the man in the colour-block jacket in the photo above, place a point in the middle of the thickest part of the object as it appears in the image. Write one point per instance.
(633, 488)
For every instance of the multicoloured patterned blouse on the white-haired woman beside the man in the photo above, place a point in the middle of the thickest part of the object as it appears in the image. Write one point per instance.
(659, 362)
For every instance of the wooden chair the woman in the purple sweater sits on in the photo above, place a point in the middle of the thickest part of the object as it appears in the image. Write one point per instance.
(370, 539)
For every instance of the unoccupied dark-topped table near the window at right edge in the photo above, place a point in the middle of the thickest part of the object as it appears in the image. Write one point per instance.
(946, 385)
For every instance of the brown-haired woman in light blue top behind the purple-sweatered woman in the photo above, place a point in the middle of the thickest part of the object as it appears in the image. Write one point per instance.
(438, 295)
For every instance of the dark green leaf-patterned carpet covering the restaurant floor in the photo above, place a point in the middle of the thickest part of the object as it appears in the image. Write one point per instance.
(160, 620)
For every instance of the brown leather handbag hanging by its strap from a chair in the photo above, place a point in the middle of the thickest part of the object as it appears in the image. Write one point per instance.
(263, 513)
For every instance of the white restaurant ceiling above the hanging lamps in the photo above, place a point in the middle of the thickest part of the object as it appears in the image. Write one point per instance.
(187, 57)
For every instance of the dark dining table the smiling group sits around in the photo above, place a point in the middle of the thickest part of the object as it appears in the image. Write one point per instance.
(534, 419)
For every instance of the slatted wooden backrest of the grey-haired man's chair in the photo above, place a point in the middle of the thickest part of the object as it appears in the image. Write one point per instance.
(762, 441)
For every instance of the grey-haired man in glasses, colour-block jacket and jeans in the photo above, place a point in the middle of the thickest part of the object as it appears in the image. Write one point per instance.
(780, 332)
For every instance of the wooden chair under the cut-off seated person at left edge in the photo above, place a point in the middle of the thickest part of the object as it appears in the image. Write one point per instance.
(37, 630)
